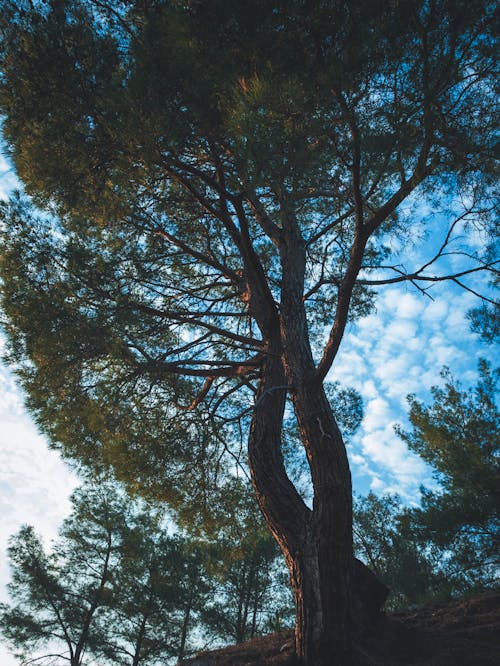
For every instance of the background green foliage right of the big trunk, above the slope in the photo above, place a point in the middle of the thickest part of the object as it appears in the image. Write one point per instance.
(449, 546)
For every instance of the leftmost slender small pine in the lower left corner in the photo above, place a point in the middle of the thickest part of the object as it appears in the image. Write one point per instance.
(58, 595)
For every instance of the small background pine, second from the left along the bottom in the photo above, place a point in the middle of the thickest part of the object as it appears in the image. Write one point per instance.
(158, 591)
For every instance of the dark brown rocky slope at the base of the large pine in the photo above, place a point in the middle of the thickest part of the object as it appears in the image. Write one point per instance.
(466, 633)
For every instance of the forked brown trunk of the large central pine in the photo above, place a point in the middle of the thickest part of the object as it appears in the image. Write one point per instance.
(328, 585)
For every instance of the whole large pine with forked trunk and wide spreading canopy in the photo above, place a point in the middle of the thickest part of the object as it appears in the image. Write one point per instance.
(225, 186)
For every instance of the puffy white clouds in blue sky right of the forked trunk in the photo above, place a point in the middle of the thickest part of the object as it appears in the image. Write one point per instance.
(396, 351)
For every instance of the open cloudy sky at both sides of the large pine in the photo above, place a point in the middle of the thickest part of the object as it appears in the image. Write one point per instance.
(397, 350)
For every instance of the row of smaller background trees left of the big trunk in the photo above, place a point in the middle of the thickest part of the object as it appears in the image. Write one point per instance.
(118, 587)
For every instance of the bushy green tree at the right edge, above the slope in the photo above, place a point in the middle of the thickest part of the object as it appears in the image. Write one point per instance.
(458, 435)
